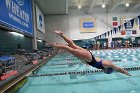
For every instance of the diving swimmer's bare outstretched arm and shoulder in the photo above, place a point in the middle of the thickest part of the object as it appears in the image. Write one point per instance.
(117, 68)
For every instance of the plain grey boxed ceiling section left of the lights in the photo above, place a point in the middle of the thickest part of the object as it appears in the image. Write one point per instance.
(53, 6)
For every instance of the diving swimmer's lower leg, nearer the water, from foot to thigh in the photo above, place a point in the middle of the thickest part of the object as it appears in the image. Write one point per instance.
(81, 54)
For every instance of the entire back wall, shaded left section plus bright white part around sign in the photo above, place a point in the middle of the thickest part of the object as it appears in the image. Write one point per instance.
(70, 23)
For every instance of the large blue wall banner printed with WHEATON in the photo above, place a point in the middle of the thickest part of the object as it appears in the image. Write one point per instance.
(17, 14)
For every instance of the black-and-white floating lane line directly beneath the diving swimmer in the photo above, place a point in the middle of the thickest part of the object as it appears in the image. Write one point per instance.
(81, 72)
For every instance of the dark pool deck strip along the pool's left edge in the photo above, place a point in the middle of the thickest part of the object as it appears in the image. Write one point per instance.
(22, 72)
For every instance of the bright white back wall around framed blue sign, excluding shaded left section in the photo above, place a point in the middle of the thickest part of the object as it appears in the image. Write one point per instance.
(103, 19)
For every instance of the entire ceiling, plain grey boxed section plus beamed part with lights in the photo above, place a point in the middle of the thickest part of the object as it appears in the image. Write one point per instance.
(62, 6)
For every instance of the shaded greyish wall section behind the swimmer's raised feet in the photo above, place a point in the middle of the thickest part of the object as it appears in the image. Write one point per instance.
(56, 22)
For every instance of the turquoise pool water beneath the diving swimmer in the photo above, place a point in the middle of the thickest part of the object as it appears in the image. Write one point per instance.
(86, 83)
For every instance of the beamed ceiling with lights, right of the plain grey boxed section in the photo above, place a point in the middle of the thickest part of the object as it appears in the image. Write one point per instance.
(111, 5)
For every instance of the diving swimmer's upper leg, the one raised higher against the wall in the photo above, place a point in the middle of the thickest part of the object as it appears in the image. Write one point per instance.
(68, 40)
